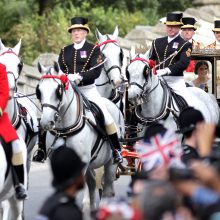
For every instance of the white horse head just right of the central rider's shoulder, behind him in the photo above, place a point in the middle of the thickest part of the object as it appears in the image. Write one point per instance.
(111, 50)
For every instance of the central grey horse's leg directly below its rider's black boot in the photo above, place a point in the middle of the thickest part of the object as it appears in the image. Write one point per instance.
(109, 177)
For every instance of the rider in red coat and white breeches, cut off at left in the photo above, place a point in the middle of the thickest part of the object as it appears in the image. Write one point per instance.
(9, 135)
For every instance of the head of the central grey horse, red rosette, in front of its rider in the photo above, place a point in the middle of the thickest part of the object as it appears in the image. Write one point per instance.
(51, 93)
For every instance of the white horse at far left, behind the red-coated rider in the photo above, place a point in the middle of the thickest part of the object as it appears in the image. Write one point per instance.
(27, 126)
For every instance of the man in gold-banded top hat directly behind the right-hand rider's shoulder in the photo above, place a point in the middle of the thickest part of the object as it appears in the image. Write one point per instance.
(187, 32)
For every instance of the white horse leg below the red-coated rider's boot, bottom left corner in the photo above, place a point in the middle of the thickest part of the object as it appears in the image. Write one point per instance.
(16, 208)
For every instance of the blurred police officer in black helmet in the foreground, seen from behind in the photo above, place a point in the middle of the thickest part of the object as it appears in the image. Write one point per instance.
(67, 169)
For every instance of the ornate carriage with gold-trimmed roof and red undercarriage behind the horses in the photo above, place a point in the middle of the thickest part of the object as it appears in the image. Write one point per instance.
(209, 55)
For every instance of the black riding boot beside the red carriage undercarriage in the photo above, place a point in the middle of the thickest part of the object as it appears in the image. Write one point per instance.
(116, 148)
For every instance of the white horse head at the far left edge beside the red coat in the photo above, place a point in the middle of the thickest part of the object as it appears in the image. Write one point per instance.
(10, 58)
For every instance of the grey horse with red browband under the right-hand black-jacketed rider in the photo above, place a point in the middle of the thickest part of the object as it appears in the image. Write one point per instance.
(152, 99)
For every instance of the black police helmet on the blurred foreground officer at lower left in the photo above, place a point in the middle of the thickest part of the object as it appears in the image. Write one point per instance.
(66, 167)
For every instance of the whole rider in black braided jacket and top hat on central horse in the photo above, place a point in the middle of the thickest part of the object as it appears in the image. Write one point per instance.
(79, 61)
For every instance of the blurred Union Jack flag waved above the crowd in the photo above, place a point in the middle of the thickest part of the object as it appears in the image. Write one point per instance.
(159, 150)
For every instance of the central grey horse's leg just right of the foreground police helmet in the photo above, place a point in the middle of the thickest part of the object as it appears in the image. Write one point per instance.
(91, 183)
